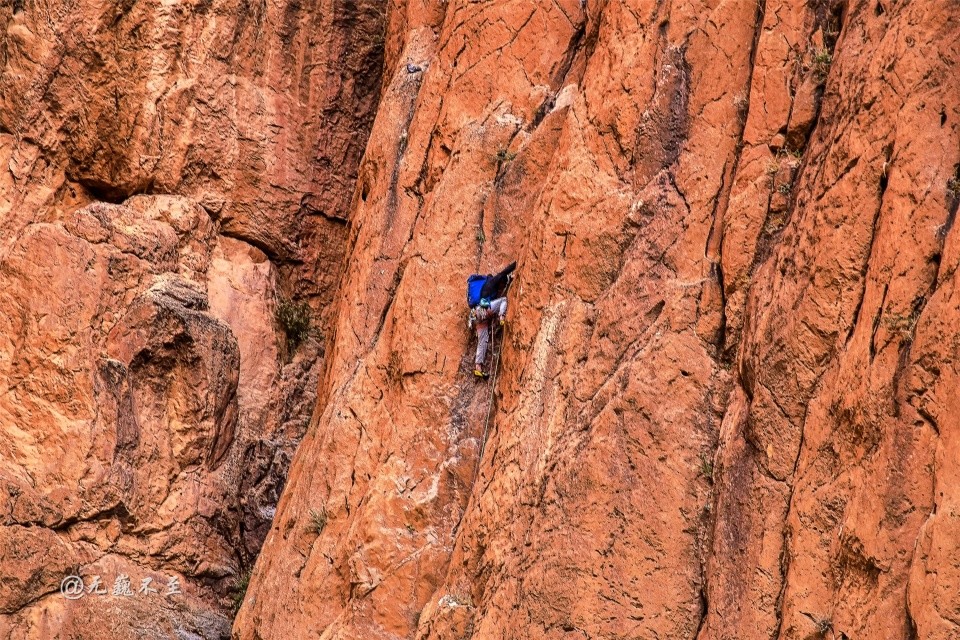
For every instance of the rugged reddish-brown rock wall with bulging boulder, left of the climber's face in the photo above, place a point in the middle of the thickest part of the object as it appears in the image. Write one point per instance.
(170, 170)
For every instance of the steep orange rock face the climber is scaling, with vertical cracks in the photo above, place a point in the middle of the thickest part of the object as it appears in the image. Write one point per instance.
(724, 399)
